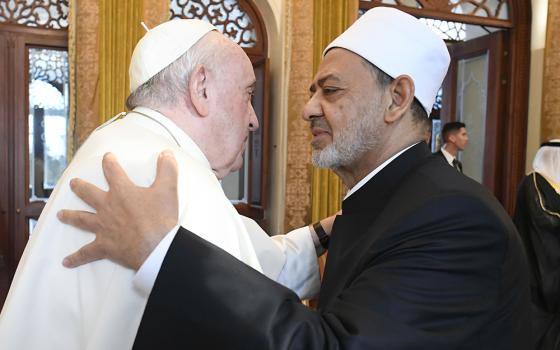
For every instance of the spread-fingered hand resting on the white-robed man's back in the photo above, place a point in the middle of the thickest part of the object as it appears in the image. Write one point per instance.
(129, 221)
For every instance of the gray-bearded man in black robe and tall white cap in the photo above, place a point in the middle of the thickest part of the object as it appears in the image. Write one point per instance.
(420, 258)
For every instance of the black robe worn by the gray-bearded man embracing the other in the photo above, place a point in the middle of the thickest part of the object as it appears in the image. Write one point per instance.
(421, 258)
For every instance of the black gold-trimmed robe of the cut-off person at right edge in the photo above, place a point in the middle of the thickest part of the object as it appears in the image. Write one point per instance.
(537, 217)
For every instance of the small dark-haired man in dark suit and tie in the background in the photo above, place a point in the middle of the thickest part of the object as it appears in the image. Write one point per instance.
(455, 138)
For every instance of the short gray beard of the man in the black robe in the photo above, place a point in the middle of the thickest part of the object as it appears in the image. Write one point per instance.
(359, 136)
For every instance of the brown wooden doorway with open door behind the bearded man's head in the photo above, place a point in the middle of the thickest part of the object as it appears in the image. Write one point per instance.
(504, 53)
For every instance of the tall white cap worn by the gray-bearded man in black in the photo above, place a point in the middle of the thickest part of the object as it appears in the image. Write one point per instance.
(399, 44)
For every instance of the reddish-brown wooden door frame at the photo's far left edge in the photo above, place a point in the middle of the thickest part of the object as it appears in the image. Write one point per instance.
(15, 118)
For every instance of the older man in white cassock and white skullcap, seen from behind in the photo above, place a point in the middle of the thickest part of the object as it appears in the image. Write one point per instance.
(191, 94)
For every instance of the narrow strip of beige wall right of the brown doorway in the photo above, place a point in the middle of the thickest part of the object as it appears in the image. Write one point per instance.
(538, 39)
